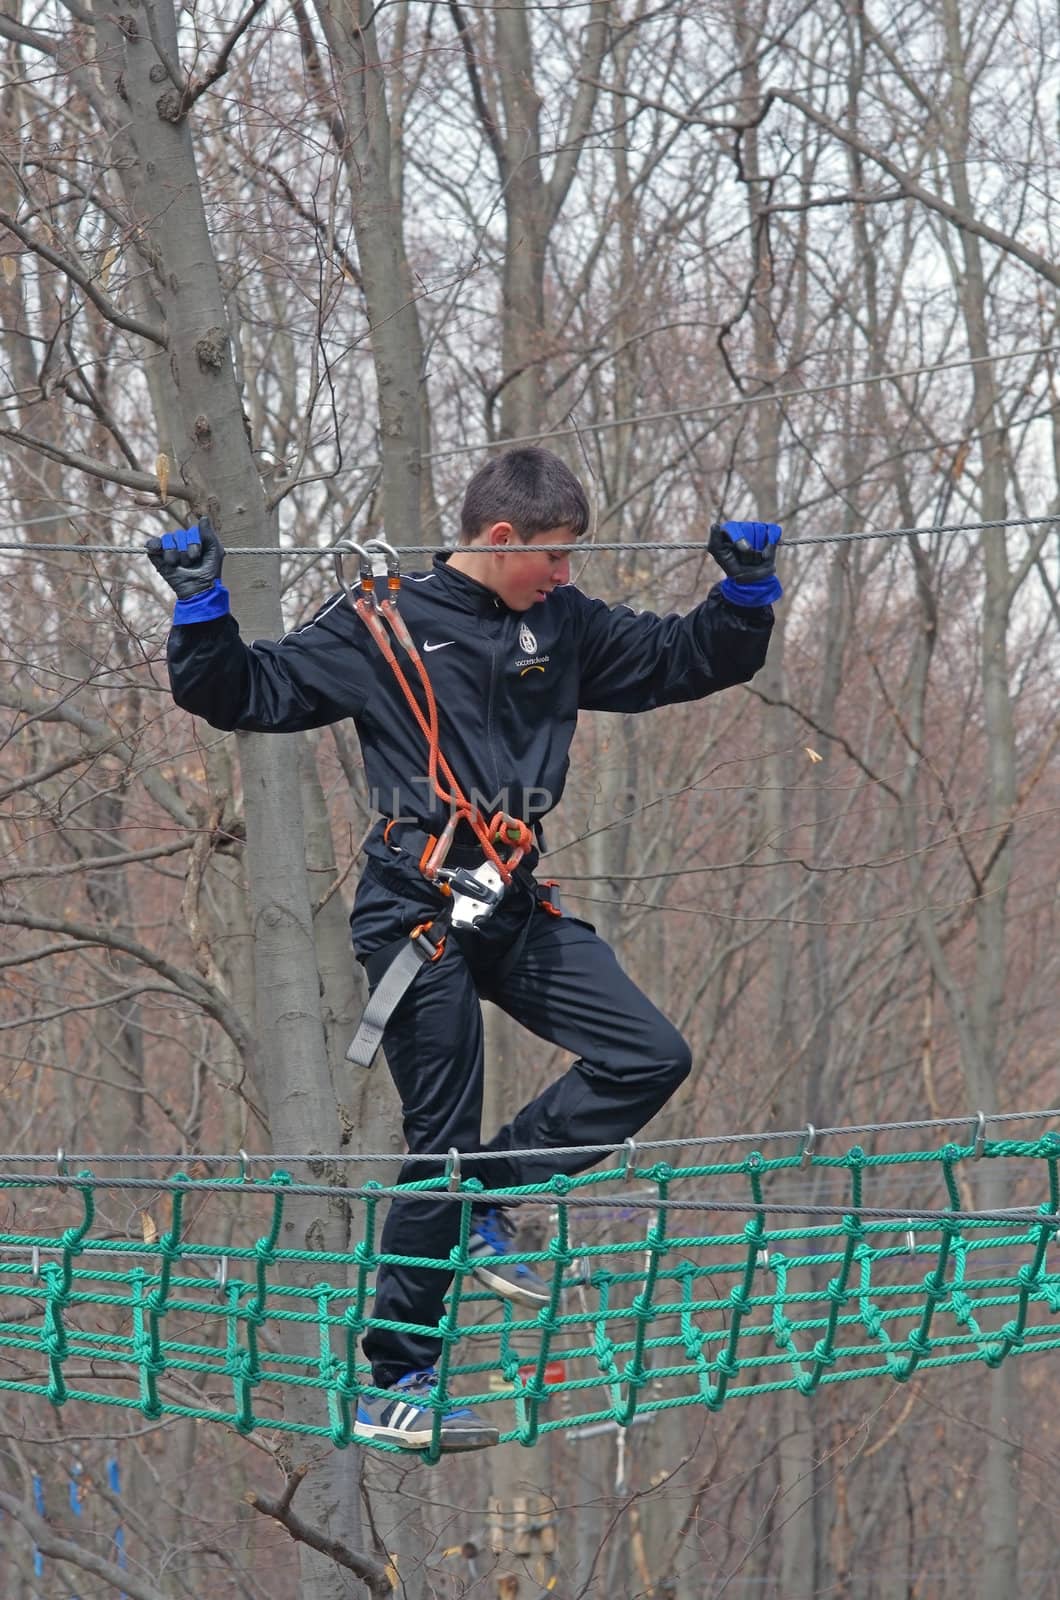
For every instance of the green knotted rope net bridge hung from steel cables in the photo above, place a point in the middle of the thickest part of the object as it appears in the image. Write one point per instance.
(672, 1286)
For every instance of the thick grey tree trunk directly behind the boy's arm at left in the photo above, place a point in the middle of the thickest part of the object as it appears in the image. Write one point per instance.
(204, 412)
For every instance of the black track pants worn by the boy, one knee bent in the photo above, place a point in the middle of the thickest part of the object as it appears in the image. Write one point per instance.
(569, 990)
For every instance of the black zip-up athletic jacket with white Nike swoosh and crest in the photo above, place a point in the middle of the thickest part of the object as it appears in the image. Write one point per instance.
(508, 686)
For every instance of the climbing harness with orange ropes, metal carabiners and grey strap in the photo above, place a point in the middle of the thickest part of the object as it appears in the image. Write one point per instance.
(472, 894)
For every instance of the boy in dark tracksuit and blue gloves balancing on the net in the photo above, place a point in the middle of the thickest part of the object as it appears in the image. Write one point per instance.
(513, 654)
